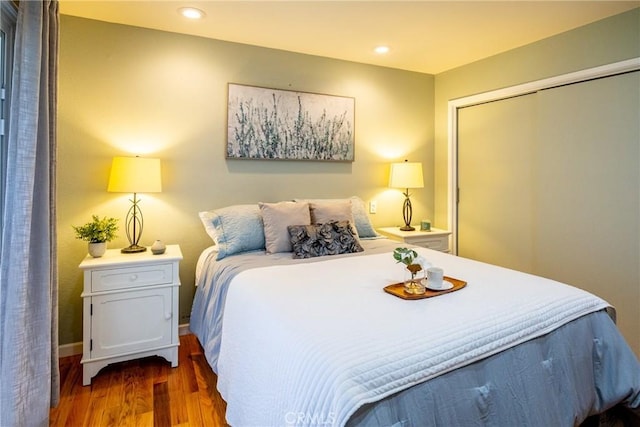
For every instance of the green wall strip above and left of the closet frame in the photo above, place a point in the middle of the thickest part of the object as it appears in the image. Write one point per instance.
(609, 40)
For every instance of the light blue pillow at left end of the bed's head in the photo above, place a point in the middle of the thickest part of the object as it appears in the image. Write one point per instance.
(234, 229)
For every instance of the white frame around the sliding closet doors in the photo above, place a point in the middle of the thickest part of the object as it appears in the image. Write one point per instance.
(453, 105)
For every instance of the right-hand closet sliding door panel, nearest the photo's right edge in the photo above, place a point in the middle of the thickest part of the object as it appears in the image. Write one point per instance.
(588, 201)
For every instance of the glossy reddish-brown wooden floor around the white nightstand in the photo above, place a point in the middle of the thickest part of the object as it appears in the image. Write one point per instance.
(144, 392)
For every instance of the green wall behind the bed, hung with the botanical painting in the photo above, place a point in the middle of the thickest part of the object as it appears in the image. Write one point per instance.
(125, 90)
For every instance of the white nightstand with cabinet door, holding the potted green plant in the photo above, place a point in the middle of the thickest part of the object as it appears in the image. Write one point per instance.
(130, 308)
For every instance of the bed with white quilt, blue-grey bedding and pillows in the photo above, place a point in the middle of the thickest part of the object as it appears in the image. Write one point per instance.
(316, 341)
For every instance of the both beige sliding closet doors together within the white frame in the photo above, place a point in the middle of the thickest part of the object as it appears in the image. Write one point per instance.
(550, 184)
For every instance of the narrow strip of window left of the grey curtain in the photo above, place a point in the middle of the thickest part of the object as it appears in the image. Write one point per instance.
(8, 16)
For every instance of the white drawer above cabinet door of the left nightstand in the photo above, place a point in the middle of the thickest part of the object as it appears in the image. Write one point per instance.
(120, 278)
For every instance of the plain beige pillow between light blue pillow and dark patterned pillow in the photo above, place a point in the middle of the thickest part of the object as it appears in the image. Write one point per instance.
(276, 217)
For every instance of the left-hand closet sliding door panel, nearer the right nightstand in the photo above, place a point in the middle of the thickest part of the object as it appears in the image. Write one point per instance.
(495, 148)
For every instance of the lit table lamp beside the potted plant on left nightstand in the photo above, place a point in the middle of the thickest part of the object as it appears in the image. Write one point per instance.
(134, 175)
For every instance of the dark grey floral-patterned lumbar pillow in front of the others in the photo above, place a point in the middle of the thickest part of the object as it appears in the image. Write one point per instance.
(332, 238)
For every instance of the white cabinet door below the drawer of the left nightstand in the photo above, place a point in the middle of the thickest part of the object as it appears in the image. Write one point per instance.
(131, 321)
